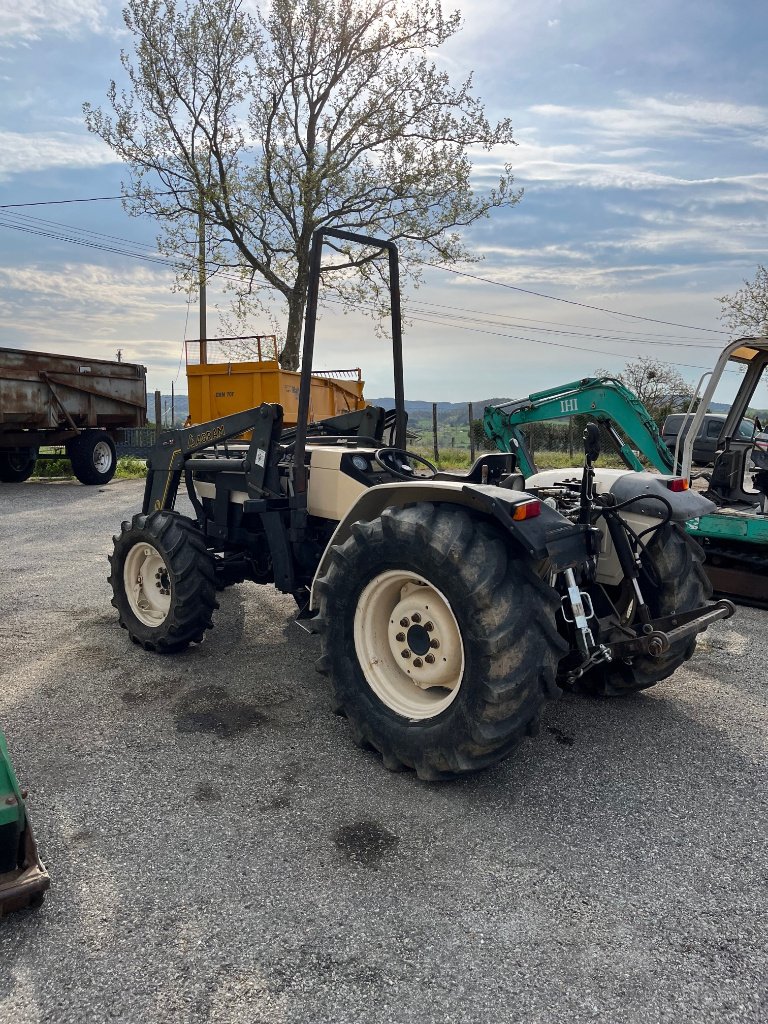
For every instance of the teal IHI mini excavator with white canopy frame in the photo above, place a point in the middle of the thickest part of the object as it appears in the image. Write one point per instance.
(735, 537)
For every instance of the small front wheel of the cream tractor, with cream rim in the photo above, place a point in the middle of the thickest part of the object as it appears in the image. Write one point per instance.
(163, 581)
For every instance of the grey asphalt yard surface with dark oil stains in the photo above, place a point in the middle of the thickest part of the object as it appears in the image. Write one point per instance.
(221, 851)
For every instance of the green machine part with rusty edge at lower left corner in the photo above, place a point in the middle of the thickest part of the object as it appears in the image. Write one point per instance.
(24, 879)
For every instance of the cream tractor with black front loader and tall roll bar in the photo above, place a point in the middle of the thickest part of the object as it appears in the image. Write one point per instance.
(450, 607)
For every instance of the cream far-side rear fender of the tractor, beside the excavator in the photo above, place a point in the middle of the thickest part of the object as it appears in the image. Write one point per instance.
(625, 485)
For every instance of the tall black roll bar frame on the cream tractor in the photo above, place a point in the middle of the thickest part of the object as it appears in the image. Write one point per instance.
(316, 263)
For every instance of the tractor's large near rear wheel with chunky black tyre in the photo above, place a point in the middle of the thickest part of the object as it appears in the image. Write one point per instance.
(442, 647)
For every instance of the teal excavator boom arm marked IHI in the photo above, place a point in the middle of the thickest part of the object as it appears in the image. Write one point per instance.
(605, 400)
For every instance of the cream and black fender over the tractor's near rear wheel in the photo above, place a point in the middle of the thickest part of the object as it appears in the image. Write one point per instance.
(547, 536)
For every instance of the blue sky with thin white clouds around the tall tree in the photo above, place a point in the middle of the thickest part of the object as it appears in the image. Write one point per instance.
(642, 148)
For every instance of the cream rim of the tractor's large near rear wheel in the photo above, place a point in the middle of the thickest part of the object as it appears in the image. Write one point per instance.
(409, 645)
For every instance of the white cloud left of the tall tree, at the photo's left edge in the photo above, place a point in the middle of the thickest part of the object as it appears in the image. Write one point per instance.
(22, 153)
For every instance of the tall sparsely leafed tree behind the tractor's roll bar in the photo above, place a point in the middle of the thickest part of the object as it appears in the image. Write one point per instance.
(314, 113)
